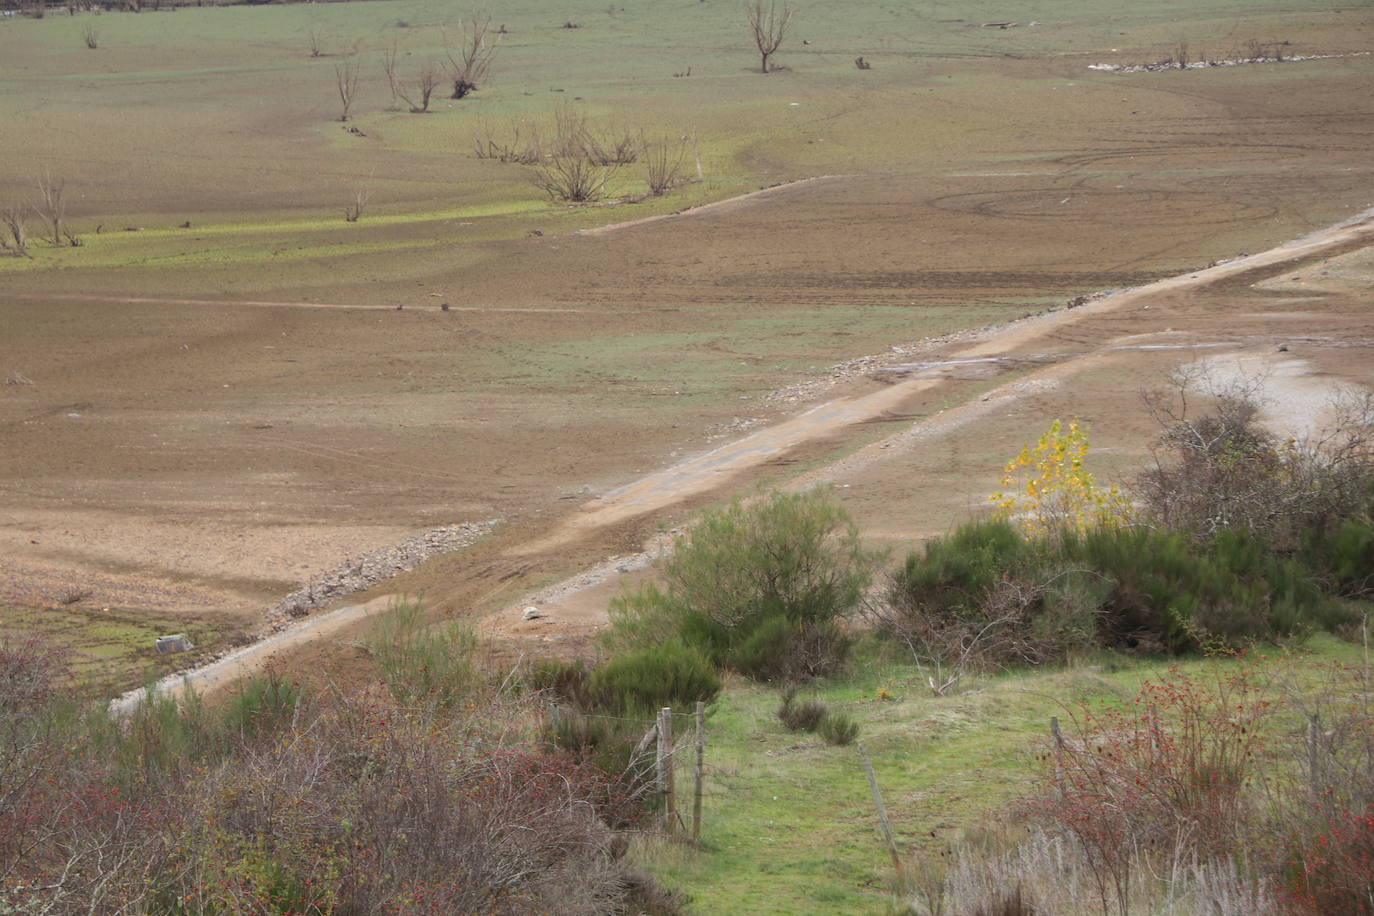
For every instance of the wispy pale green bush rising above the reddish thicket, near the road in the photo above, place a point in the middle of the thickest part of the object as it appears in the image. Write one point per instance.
(431, 665)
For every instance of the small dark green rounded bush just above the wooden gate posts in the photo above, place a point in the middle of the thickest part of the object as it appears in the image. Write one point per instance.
(644, 682)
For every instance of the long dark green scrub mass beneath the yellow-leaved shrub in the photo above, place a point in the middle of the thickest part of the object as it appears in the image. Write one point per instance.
(989, 597)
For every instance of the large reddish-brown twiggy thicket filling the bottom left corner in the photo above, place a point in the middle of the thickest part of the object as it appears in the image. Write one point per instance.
(357, 805)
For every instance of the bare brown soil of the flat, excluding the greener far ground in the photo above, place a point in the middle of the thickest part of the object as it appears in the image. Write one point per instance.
(204, 439)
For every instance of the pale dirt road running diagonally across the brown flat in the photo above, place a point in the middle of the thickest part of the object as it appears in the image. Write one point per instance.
(1037, 347)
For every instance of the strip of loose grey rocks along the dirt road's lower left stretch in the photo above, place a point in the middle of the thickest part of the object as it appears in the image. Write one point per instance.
(357, 575)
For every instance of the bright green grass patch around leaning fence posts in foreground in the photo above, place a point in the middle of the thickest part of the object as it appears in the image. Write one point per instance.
(789, 823)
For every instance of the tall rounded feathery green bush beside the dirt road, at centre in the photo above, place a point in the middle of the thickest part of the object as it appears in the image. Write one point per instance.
(756, 587)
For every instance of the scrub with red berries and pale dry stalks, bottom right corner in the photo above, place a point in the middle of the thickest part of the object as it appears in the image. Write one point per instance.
(1243, 793)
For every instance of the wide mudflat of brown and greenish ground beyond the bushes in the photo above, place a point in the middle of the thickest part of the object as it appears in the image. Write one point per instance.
(200, 421)
